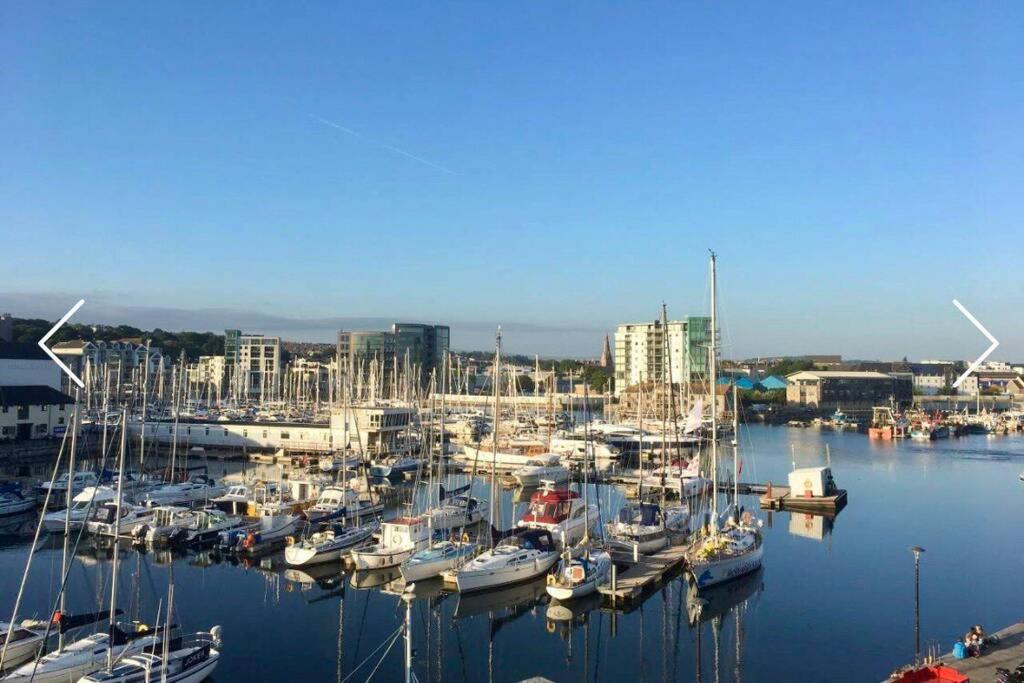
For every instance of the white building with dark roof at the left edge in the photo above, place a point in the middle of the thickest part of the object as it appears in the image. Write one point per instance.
(31, 405)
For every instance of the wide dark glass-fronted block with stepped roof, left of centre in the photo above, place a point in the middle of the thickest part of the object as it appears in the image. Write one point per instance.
(421, 347)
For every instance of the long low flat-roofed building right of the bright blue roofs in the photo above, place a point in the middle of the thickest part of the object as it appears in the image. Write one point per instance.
(847, 391)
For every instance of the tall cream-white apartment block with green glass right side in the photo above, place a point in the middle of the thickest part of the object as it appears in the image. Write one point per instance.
(657, 353)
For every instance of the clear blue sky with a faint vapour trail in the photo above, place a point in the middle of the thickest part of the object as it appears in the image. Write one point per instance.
(856, 165)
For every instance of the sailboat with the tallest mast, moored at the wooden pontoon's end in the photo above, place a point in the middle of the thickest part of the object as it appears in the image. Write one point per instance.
(731, 546)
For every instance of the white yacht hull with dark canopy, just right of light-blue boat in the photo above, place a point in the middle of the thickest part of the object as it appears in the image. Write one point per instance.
(527, 554)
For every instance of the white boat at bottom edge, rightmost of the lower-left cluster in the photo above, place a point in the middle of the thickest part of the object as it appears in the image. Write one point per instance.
(190, 661)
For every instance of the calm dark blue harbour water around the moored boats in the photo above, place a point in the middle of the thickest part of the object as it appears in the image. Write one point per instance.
(835, 602)
